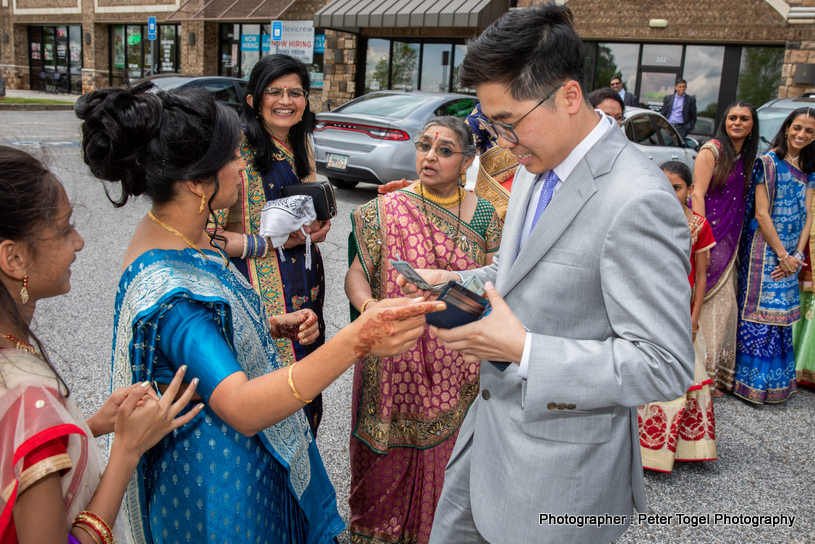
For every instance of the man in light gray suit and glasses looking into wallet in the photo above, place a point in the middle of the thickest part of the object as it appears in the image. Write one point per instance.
(590, 311)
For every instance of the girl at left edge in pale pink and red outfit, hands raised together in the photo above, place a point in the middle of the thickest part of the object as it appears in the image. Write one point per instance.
(51, 472)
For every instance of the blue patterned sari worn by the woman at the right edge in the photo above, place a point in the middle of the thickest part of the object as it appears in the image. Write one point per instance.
(765, 363)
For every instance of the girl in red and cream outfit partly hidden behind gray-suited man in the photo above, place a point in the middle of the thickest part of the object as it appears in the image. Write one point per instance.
(684, 429)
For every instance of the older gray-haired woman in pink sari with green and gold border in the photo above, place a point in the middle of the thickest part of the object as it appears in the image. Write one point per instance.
(407, 409)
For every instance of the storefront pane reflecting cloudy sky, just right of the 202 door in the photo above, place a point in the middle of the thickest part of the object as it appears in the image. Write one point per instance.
(703, 72)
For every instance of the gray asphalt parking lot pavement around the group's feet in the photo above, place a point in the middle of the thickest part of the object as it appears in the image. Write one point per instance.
(766, 454)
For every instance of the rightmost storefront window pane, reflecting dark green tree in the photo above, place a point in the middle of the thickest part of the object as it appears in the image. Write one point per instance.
(759, 74)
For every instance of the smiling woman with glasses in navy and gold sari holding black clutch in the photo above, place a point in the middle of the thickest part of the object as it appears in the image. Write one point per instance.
(277, 122)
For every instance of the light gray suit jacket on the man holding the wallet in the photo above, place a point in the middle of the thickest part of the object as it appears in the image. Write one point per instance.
(603, 285)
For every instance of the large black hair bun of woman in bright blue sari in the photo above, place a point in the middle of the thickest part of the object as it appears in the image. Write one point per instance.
(118, 125)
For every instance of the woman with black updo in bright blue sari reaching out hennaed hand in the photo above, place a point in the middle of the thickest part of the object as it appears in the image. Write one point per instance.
(249, 469)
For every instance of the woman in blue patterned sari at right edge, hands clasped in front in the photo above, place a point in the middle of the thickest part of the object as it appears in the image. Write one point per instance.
(776, 233)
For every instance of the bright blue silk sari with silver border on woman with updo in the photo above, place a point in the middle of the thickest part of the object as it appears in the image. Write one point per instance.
(205, 482)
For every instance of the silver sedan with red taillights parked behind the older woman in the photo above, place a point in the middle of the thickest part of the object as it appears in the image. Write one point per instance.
(370, 138)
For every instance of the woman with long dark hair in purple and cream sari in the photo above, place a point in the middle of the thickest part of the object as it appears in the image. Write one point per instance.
(719, 194)
